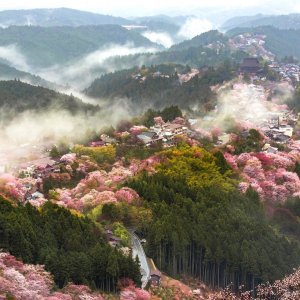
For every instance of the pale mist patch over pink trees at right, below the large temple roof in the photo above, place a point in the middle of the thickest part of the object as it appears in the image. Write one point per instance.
(245, 104)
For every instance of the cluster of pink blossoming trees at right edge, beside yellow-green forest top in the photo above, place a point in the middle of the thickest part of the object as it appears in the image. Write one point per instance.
(268, 173)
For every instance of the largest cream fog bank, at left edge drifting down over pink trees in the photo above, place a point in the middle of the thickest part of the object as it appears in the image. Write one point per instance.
(29, 133)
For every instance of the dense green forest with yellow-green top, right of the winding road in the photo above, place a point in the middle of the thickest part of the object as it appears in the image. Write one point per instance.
(204, 227)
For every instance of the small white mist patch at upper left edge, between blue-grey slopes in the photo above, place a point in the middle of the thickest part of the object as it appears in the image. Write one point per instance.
(14, 57)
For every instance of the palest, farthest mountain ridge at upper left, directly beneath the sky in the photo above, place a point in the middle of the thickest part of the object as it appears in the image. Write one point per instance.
(56, 17)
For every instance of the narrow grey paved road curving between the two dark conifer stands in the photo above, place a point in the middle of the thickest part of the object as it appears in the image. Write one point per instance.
(138, 250)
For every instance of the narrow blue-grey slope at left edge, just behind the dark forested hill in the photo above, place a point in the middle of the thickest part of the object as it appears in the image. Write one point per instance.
(10, 73)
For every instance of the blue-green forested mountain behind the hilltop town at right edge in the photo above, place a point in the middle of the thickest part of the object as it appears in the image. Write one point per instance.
(281, 42)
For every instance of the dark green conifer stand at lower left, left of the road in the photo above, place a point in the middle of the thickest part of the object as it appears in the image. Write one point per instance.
(72, 248)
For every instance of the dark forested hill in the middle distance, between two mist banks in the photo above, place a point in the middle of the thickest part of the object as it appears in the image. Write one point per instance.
(162, 90)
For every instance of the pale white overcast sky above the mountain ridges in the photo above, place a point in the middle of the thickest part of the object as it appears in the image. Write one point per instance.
(150, 7)
